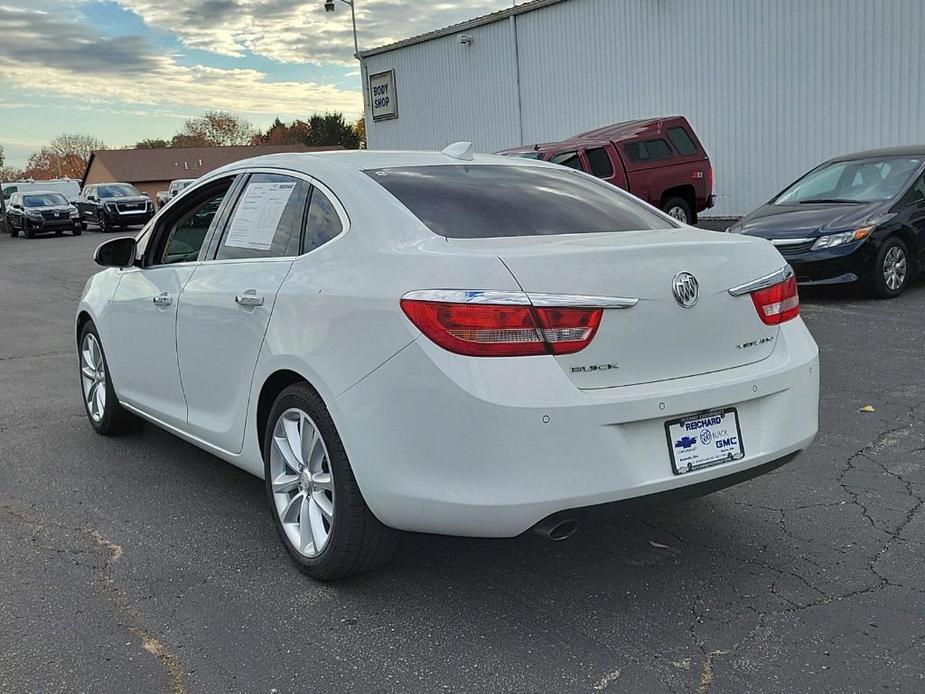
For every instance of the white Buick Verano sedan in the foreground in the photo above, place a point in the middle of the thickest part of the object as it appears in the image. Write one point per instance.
(445, 343)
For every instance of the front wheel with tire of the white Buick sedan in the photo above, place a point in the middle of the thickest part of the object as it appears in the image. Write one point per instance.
(102, 406)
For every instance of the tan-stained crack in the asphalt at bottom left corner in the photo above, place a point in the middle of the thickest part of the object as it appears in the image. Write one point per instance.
(117, 598)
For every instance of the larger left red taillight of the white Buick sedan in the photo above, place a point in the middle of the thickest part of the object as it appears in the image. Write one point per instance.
(500, 330)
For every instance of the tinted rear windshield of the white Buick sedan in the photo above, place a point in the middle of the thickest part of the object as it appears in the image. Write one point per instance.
(488, 200)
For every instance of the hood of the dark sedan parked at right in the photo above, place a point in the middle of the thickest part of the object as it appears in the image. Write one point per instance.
(800, 221)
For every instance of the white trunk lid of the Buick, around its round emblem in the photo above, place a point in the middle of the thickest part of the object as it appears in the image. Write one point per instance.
(657, 339)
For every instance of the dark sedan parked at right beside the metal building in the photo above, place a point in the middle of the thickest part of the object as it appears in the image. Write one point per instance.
(859, 218)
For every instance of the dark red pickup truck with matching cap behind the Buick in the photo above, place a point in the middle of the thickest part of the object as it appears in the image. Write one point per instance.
(657, 159)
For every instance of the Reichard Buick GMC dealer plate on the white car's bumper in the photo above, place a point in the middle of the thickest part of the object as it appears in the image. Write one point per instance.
(705, 439)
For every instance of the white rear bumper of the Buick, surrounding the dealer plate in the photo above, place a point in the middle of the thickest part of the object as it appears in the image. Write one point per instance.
(488, 447)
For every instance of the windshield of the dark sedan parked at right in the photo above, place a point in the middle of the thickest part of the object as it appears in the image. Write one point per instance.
(864, 180)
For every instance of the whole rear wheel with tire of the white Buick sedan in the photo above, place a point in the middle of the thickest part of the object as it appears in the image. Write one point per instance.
(316, 504)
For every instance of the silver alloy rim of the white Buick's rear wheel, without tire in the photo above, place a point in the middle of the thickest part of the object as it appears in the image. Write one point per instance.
(302, 482)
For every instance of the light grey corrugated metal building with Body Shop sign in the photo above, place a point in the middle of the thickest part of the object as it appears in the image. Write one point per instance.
(772, 87)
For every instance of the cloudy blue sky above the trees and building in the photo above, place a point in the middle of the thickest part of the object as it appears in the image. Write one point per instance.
(125, 70)
